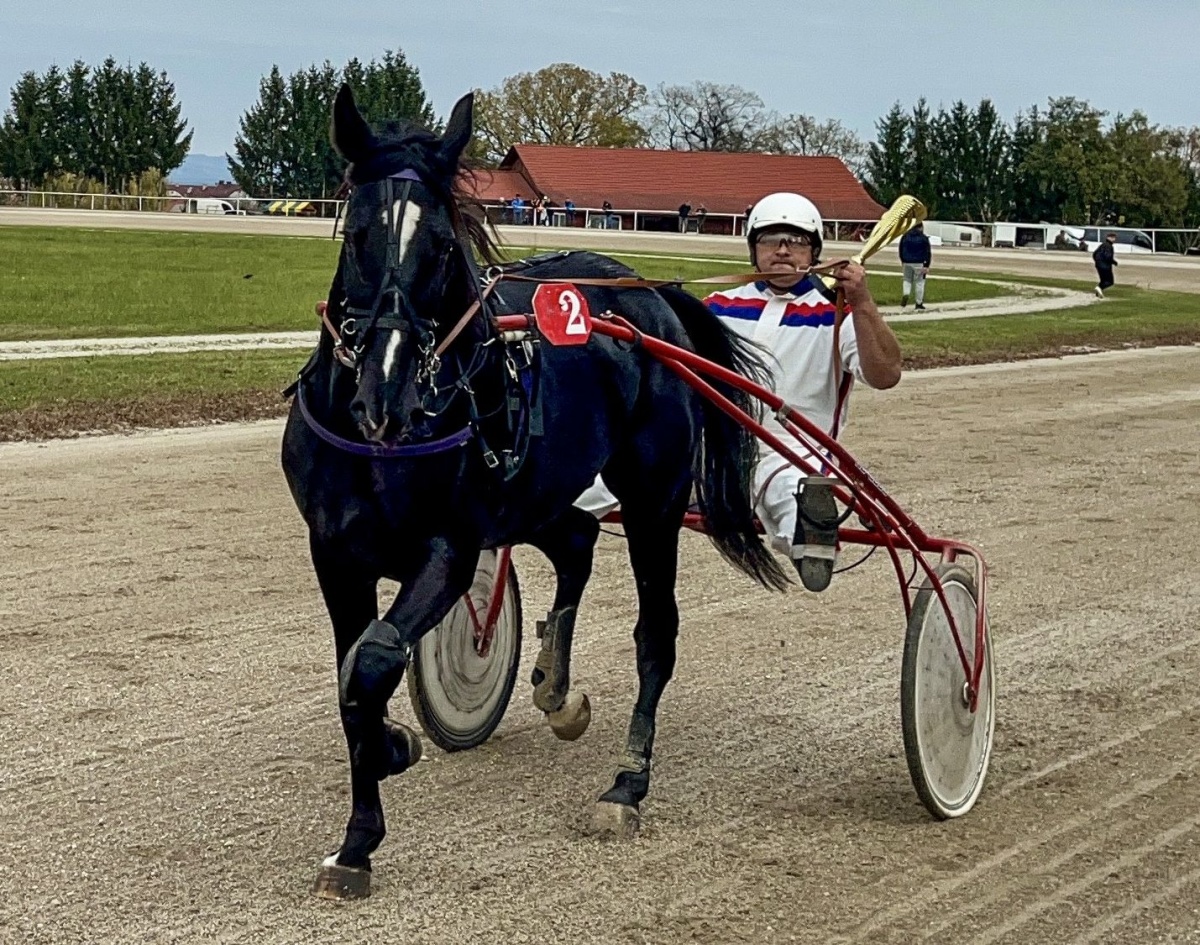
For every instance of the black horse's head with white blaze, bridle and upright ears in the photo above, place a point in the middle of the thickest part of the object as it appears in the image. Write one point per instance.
(406, 266)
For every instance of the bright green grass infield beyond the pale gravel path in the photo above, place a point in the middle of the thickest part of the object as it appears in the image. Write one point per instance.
(74, 284)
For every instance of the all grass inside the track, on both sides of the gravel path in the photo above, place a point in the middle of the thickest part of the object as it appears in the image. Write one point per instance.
(68, 284)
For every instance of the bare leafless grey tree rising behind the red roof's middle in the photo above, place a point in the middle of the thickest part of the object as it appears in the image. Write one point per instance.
(706, 117)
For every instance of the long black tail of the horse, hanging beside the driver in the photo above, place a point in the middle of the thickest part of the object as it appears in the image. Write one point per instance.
(725, 460)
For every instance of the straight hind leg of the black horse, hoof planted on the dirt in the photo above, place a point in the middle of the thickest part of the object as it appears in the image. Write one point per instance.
(653, 555)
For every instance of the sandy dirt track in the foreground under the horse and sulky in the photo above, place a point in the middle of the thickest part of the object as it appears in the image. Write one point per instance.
(175, 769)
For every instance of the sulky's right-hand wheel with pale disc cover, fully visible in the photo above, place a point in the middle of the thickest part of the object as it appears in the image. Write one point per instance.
(946, 744)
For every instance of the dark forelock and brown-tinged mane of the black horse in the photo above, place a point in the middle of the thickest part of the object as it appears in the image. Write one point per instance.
(399, 146)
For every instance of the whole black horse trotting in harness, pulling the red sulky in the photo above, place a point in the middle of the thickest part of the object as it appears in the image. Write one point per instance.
(406, 460)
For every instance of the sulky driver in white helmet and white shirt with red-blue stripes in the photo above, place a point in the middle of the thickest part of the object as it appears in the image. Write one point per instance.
(791, 316)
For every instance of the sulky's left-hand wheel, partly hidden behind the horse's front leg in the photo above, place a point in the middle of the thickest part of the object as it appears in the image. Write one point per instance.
(460, 689)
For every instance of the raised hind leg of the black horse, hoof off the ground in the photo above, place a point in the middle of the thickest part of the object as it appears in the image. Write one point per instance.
(569, 544)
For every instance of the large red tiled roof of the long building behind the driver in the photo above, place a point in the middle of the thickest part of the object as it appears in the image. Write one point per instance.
(643, 179)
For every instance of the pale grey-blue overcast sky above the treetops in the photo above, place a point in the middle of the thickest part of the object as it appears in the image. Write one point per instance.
(845, 59)
